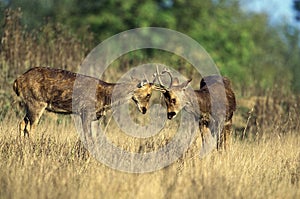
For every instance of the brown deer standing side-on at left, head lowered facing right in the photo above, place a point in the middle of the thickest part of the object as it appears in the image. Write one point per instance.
(50, 89)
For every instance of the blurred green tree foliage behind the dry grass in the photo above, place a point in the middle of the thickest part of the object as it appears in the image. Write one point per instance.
(243, 45)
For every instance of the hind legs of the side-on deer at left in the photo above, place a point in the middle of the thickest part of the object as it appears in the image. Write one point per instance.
(33, 115)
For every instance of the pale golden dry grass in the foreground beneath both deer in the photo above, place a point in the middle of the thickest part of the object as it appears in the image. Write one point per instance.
(54, 164)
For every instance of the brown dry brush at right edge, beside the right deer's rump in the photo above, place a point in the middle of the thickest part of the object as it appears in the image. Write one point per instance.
(274, 113)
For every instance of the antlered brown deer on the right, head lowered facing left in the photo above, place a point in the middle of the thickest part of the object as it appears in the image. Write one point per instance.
(178, 97)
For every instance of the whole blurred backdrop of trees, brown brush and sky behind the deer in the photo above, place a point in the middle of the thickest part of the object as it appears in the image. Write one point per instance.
(254, 43)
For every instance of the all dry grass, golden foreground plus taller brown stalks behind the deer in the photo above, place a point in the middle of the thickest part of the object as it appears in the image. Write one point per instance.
(55, 164)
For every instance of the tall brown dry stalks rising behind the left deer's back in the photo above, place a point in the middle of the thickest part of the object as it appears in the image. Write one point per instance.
(20, 49)
